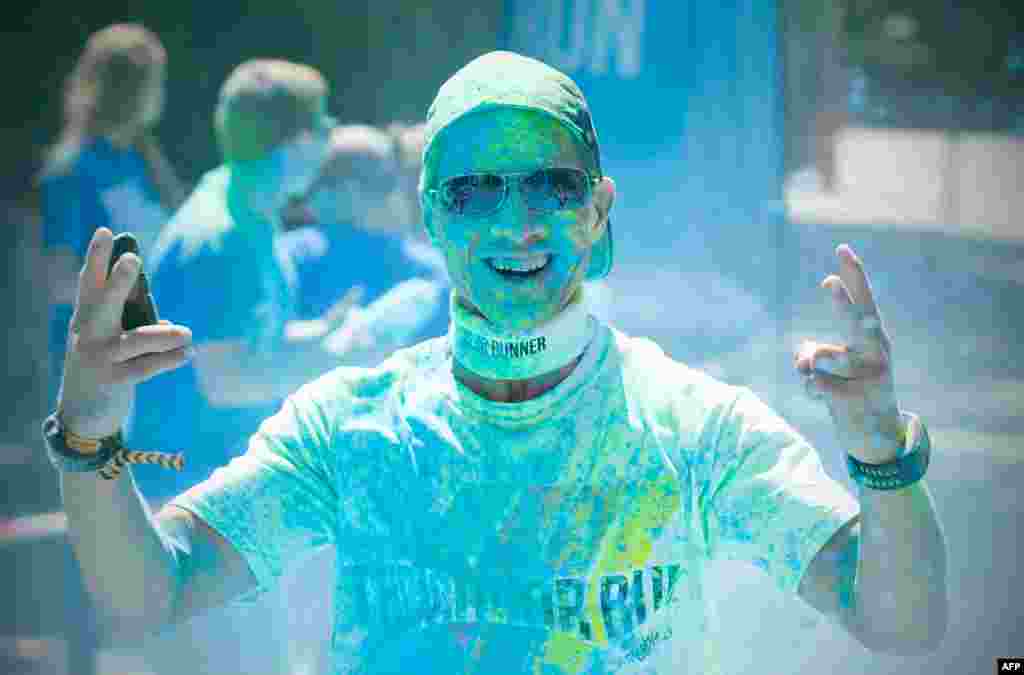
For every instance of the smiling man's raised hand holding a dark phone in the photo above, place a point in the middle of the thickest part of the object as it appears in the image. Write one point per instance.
(104, 363)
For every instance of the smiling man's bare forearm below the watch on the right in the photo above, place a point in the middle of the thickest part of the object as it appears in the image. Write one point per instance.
(902, 573)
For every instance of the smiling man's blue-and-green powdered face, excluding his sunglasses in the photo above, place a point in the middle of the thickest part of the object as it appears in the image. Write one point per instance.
(518, 267)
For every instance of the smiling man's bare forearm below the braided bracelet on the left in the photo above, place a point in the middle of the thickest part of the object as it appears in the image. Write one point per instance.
(130, 566)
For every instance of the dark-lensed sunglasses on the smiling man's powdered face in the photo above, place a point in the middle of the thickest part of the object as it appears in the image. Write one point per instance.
(545, 191)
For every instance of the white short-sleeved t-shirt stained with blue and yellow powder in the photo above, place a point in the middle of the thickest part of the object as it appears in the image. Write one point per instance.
(568, 534)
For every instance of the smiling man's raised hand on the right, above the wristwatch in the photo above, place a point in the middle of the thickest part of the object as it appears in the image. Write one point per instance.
(855, 379)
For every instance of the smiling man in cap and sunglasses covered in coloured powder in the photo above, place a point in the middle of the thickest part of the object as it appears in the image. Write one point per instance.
(535, 492)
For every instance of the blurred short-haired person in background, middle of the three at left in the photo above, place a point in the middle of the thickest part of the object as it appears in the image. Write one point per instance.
(221, 268)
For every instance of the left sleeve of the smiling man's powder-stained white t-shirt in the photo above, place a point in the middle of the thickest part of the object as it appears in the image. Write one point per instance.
(277, 503)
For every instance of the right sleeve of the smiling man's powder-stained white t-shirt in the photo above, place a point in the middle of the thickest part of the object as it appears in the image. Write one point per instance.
(772, 502)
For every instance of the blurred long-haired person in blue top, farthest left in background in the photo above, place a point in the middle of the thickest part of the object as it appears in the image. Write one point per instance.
(107, 168)
